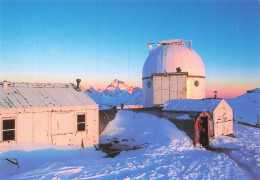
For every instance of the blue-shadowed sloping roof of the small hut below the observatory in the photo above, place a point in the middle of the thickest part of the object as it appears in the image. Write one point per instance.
(199, 105)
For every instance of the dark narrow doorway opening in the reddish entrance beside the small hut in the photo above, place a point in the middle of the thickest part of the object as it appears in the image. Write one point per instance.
(204, 138)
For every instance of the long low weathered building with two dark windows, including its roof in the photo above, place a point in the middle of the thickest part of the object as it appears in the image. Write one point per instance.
(47, 112)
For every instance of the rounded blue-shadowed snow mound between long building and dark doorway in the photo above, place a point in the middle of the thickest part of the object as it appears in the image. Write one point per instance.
(146, 128)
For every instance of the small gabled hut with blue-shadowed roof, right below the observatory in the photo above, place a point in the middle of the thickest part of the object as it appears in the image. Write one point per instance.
(220, 111)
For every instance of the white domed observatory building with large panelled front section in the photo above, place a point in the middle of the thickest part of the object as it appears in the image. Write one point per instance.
(172, 71)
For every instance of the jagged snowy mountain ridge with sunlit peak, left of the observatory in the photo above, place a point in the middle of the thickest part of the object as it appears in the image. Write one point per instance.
(117, 92)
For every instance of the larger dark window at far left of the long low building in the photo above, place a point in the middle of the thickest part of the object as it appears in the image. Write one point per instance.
(8, 129)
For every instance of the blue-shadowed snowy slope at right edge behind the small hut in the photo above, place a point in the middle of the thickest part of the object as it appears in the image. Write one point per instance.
(246, 107)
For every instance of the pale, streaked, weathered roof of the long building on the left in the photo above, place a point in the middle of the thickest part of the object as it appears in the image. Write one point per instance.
(28, 95)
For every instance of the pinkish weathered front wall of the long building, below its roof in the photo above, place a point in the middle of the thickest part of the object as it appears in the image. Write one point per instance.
(58, 127)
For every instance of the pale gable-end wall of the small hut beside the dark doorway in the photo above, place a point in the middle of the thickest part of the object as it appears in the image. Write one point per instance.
(223, 119)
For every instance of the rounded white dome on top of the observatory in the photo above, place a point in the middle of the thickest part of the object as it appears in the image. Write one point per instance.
(169, 56)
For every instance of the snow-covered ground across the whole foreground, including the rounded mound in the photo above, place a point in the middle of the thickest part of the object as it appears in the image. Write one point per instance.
(169, 155)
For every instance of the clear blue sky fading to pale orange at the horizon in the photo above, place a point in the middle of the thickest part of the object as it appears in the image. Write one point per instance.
(98, 41)
